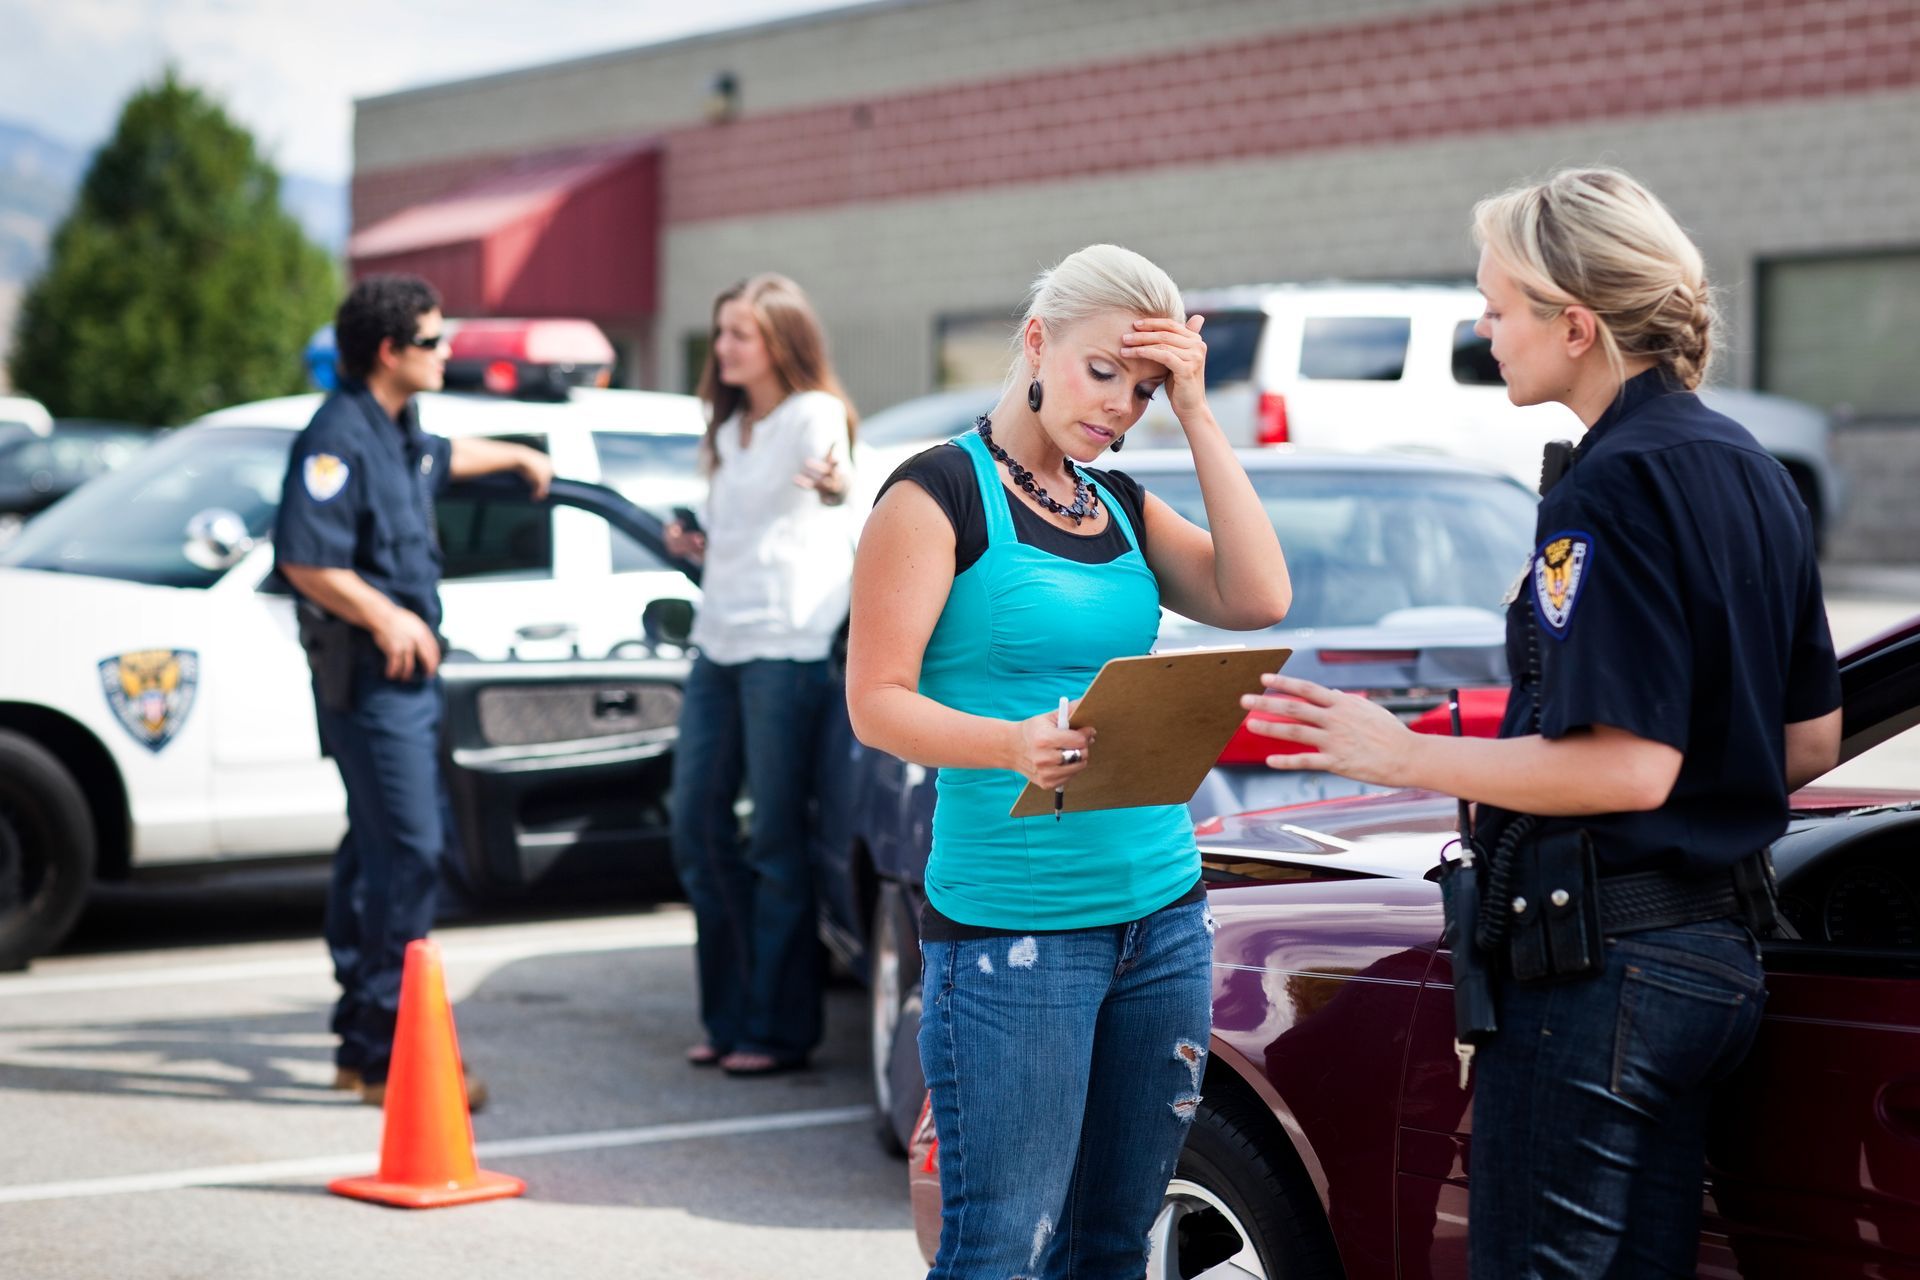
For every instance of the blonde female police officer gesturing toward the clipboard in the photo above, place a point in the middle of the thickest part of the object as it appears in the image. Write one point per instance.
(1673, 682)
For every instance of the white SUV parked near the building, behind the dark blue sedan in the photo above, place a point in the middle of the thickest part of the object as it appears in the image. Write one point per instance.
(1397, 367)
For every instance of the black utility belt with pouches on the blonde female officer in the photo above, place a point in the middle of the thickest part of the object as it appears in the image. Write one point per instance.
(1560, 911)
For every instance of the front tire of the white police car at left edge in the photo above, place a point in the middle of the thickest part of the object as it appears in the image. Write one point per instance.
(47, 851)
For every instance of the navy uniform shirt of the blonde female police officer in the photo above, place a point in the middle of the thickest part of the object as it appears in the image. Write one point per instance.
(1673, 594)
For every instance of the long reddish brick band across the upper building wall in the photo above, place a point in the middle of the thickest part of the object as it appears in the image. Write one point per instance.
(1529, 64)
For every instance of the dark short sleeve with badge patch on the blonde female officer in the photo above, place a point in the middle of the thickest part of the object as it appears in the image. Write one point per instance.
(1614, 628)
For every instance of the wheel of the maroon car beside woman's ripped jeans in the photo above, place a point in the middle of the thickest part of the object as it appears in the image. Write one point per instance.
(1239, 1210)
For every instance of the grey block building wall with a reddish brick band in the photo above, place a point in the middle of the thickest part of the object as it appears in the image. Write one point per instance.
(903, 162)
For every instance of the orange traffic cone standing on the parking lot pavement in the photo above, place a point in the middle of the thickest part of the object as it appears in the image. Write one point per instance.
(427, 1152)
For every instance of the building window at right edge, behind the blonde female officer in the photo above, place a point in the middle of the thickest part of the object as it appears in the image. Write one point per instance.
(1840, 333)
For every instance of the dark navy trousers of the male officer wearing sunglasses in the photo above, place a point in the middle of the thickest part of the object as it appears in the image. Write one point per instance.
(389, 865)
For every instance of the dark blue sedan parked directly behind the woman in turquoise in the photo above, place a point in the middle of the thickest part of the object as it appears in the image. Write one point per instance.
(1399, 571)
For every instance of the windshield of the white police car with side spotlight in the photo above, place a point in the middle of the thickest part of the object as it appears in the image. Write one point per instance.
(132, 523)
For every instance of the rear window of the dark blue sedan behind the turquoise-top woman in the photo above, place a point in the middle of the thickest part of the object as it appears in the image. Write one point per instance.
(1366, 548)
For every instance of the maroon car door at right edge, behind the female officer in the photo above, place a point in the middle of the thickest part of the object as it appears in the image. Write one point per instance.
(1815, 1145)
